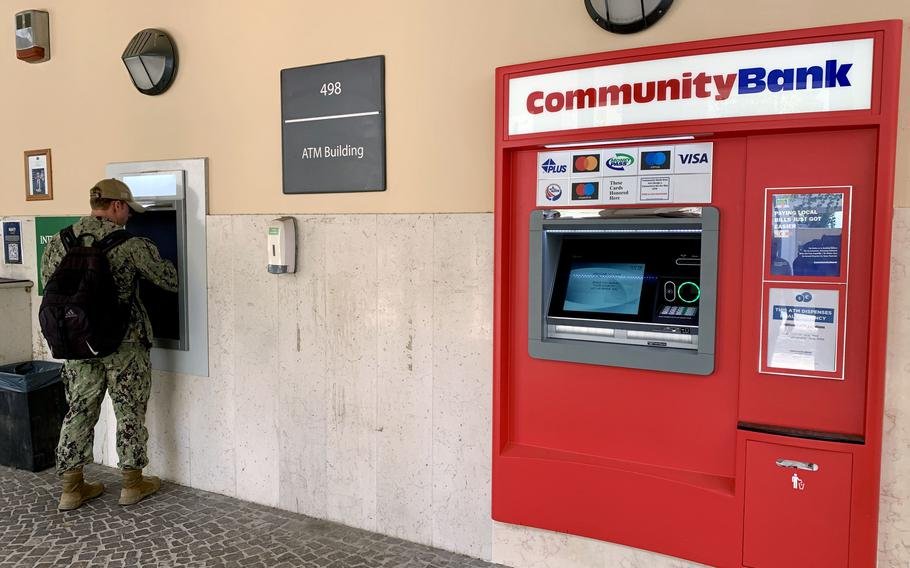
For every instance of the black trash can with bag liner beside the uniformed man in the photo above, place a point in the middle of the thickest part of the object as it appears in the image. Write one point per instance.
(32, 407)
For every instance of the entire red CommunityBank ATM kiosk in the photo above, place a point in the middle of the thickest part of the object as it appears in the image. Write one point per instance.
(692, 267)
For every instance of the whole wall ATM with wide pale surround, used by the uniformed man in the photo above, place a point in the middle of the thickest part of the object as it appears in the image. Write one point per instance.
(174, 195)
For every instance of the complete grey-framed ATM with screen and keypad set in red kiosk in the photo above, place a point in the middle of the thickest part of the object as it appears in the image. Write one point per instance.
(631, 291)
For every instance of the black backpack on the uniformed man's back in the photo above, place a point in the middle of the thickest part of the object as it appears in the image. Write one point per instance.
(80, 315)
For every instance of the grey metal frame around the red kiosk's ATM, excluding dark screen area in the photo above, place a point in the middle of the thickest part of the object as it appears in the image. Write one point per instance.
(651, 345)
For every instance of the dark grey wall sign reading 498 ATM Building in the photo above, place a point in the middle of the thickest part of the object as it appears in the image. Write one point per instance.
(333, 127)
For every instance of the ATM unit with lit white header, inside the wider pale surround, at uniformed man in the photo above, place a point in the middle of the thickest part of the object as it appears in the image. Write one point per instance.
(162, 193)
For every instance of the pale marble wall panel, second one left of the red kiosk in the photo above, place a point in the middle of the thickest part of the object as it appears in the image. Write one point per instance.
(405, 376)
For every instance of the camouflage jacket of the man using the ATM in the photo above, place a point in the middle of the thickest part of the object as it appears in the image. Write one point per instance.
(134, 259)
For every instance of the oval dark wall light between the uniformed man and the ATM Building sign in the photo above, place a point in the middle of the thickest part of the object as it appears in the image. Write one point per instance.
(151, 61)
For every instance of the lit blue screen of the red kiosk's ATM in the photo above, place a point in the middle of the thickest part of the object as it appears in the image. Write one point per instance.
(604, 287)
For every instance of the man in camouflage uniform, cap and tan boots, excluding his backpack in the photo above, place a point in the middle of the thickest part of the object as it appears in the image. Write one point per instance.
(126, 373)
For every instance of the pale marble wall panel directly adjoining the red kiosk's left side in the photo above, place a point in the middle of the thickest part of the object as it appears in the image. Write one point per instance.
(462, 382)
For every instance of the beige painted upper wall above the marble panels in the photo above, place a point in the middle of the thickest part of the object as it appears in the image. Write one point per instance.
(440, 61)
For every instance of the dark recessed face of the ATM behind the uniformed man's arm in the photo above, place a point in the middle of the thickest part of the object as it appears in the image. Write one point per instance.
(161, 305)
